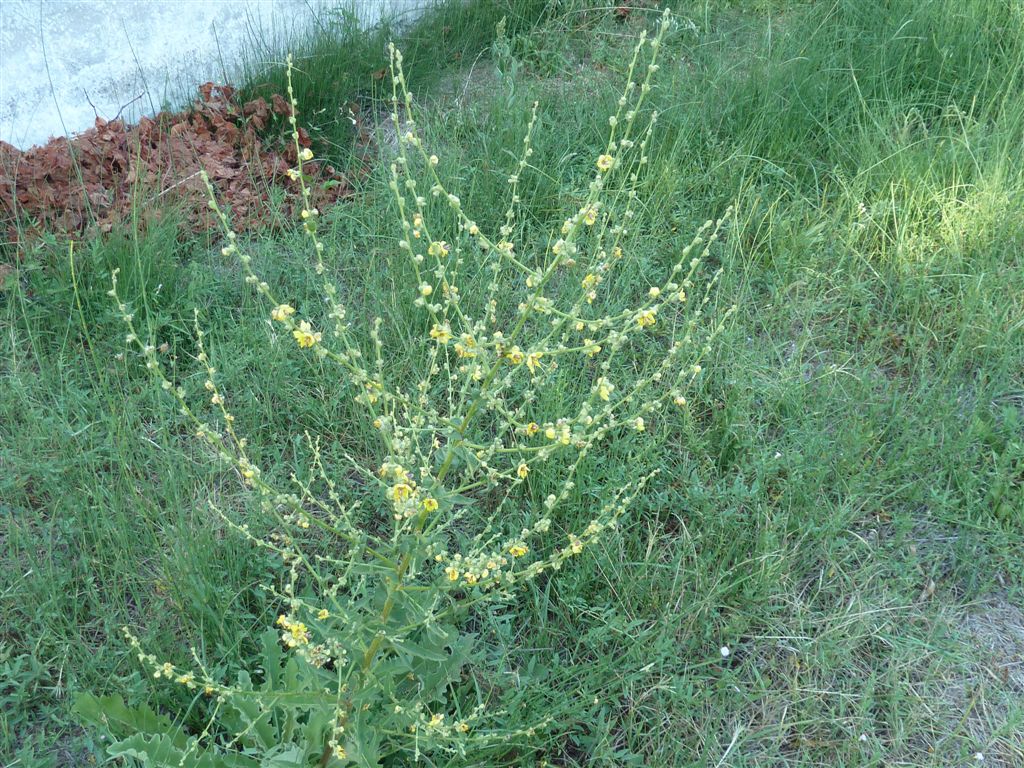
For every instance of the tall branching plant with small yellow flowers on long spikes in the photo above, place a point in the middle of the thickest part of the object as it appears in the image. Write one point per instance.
(367, 664)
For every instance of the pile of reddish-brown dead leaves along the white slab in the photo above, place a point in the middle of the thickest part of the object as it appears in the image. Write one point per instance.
(112, 172)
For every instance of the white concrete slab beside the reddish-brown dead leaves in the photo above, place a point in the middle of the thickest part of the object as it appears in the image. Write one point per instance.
(64, 62)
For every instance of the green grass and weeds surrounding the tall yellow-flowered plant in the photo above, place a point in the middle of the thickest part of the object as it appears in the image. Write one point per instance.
(842, 506)
